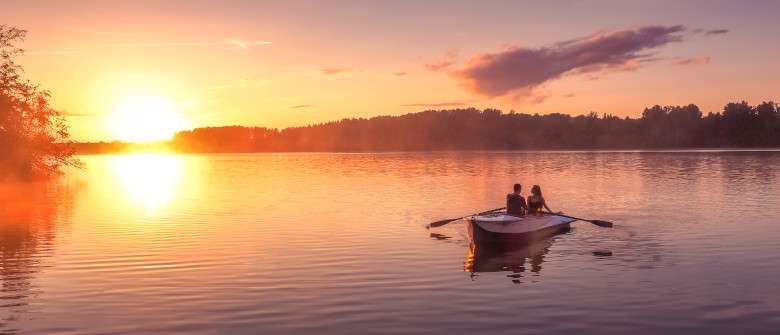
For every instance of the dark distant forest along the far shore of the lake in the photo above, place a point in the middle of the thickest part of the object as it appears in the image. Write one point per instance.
(739, 125)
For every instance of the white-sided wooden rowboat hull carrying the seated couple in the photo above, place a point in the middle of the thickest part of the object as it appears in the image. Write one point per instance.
(491, 227)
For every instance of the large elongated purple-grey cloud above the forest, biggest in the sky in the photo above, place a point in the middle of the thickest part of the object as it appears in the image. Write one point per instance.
(497, 74)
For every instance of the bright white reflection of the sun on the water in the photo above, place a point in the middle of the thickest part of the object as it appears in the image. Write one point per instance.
(150, 180)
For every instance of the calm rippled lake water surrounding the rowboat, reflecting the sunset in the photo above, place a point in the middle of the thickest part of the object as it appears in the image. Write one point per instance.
(336, 244)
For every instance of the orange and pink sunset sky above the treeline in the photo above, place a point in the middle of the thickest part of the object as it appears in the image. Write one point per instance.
(117, 69)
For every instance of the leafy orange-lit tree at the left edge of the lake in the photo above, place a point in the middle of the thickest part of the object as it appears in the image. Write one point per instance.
(34, 138)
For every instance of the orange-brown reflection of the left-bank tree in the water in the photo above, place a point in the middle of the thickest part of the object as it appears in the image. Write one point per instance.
(30, 216)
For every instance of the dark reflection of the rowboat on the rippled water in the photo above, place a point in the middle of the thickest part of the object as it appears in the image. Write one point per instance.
(515, 256)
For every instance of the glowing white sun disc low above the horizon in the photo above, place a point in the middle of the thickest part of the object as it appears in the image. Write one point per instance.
(145, 118)
